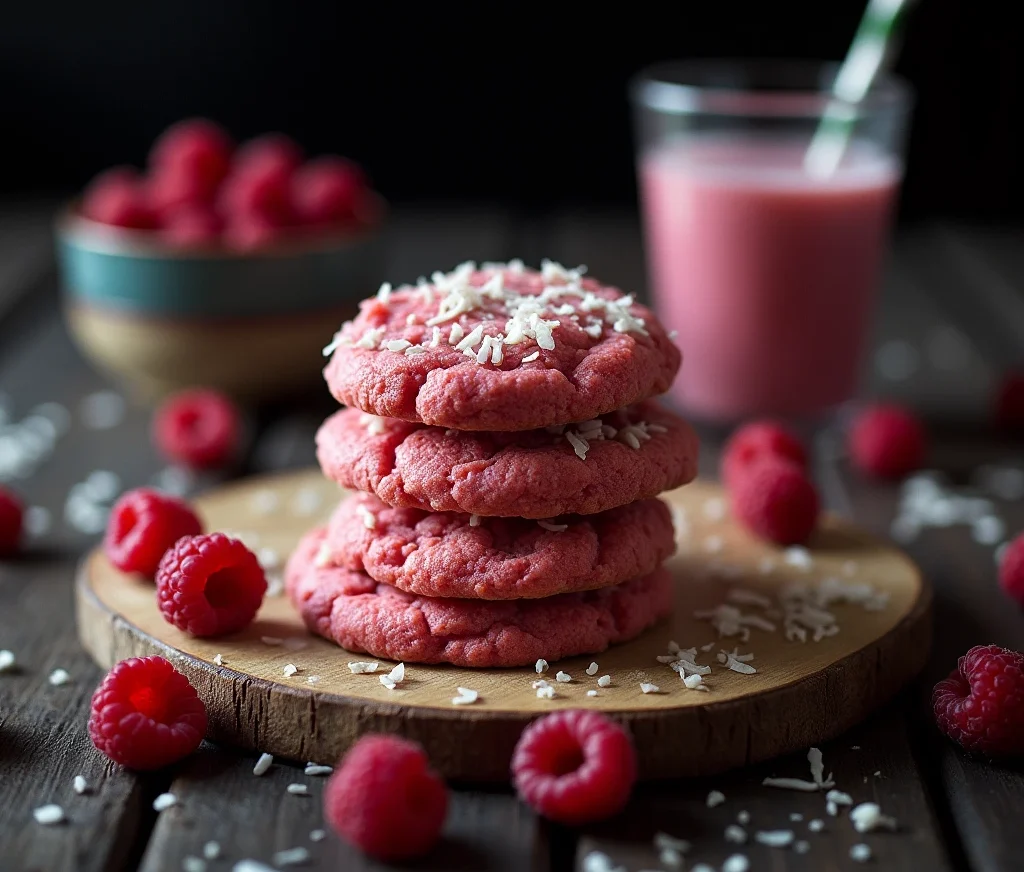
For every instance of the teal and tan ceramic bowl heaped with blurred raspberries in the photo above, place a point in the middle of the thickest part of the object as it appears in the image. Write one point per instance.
(219, 254)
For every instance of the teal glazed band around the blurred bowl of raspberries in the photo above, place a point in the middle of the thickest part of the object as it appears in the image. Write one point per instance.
(147, 281)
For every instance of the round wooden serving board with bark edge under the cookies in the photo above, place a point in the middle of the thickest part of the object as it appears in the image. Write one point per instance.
(802, 693)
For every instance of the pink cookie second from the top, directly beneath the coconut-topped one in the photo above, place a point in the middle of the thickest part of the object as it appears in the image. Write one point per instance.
(634, 455)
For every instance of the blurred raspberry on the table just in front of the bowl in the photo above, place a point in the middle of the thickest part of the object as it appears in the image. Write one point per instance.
(200, 428)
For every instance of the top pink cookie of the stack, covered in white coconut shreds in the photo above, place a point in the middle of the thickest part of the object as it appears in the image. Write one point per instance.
(500, 348)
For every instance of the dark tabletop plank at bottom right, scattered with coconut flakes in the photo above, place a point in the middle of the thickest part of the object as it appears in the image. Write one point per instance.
(681, 811)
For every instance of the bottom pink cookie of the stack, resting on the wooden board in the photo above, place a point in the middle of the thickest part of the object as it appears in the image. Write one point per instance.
(363, 616)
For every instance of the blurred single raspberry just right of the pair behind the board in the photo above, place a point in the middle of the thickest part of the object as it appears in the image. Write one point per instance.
(887, 442)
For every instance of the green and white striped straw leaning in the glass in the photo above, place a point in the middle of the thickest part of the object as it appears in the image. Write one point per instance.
(869, 55)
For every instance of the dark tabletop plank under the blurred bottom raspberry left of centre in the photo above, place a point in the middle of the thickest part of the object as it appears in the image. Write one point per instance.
(221, 800)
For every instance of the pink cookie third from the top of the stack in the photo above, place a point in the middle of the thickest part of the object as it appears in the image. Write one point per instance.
(446, 555)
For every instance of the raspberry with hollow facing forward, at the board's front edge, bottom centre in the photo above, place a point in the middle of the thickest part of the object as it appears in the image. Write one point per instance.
(575, 767)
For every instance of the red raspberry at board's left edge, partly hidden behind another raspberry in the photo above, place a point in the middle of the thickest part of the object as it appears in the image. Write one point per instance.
(144, 525)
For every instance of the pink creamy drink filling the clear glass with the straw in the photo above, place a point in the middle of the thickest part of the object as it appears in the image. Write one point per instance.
(767, 275)
